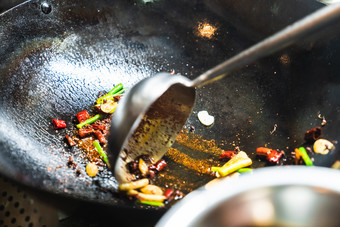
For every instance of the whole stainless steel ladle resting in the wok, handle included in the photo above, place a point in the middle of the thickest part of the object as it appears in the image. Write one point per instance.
(151, 114)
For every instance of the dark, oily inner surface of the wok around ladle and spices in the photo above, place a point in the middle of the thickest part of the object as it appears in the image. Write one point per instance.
(56, 59)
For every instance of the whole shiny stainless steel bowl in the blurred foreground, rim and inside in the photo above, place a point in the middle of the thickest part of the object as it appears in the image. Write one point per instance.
(271, 196)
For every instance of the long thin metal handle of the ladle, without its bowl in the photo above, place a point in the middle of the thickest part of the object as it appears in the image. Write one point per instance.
(271, 44)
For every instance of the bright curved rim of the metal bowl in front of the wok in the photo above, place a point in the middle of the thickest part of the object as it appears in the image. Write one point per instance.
(201, 201)
